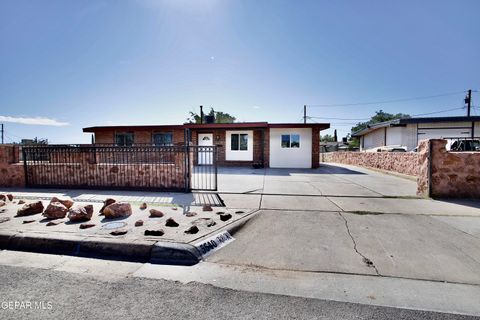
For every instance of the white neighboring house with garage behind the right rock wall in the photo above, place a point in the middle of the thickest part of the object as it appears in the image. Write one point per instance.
(407, 133)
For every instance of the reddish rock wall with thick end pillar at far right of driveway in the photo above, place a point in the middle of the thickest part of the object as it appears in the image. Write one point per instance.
(453, 174)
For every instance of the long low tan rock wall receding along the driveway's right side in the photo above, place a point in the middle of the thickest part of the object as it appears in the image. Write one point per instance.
(400, 162)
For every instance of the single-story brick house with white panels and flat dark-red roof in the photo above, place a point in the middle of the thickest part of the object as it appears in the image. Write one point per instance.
(280, 145)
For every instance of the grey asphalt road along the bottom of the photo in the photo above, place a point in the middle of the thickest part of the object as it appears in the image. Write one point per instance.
(79, 296)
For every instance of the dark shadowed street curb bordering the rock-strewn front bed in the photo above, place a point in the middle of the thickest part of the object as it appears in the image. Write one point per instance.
(158, 252)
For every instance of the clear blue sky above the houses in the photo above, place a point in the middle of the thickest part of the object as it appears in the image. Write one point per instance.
(65, 65)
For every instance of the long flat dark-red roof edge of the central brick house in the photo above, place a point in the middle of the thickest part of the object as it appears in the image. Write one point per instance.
(237, 125)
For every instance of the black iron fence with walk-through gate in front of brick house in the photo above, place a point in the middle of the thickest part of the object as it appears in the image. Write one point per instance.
(139, 167)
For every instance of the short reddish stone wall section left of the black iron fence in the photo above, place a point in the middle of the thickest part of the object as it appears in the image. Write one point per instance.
(11, 171)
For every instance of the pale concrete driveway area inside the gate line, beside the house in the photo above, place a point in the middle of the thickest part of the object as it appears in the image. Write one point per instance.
(328, 180)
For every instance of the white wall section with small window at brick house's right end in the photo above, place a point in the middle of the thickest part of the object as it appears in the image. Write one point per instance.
(291, 148)
